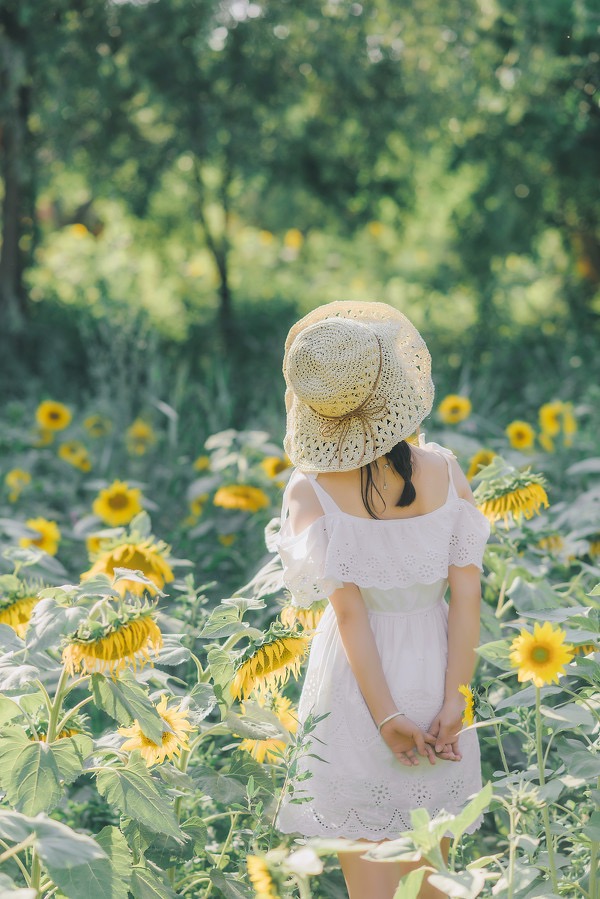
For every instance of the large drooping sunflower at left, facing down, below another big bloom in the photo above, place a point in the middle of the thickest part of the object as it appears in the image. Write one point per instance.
(126, 640)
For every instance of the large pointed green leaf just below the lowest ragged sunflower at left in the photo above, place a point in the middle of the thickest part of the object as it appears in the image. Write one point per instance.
(133, 791)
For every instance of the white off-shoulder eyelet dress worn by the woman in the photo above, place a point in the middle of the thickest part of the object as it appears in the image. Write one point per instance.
(358, 789)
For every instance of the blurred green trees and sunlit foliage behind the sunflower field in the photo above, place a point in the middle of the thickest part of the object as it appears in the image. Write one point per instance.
(181, 179)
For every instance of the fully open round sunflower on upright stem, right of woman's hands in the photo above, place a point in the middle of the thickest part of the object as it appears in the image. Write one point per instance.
(541, 656)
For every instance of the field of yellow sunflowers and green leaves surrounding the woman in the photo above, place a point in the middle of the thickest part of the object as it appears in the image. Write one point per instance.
(151, 661)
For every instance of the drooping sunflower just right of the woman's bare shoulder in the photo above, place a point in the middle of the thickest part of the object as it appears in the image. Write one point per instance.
(505, 491)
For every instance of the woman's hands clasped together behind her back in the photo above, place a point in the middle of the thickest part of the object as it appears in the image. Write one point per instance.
(406, 739)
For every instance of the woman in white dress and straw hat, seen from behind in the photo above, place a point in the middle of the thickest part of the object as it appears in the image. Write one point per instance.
(381, 527)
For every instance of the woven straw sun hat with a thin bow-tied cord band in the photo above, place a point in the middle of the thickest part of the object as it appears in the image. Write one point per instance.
(358, 379)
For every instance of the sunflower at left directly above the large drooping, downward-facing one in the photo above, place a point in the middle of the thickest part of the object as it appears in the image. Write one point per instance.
(146, 555)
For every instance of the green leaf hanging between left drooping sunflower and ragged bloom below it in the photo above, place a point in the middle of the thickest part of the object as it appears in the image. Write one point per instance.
(126, 700)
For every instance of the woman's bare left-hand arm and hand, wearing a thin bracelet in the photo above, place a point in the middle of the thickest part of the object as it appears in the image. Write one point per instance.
(401, 734)
